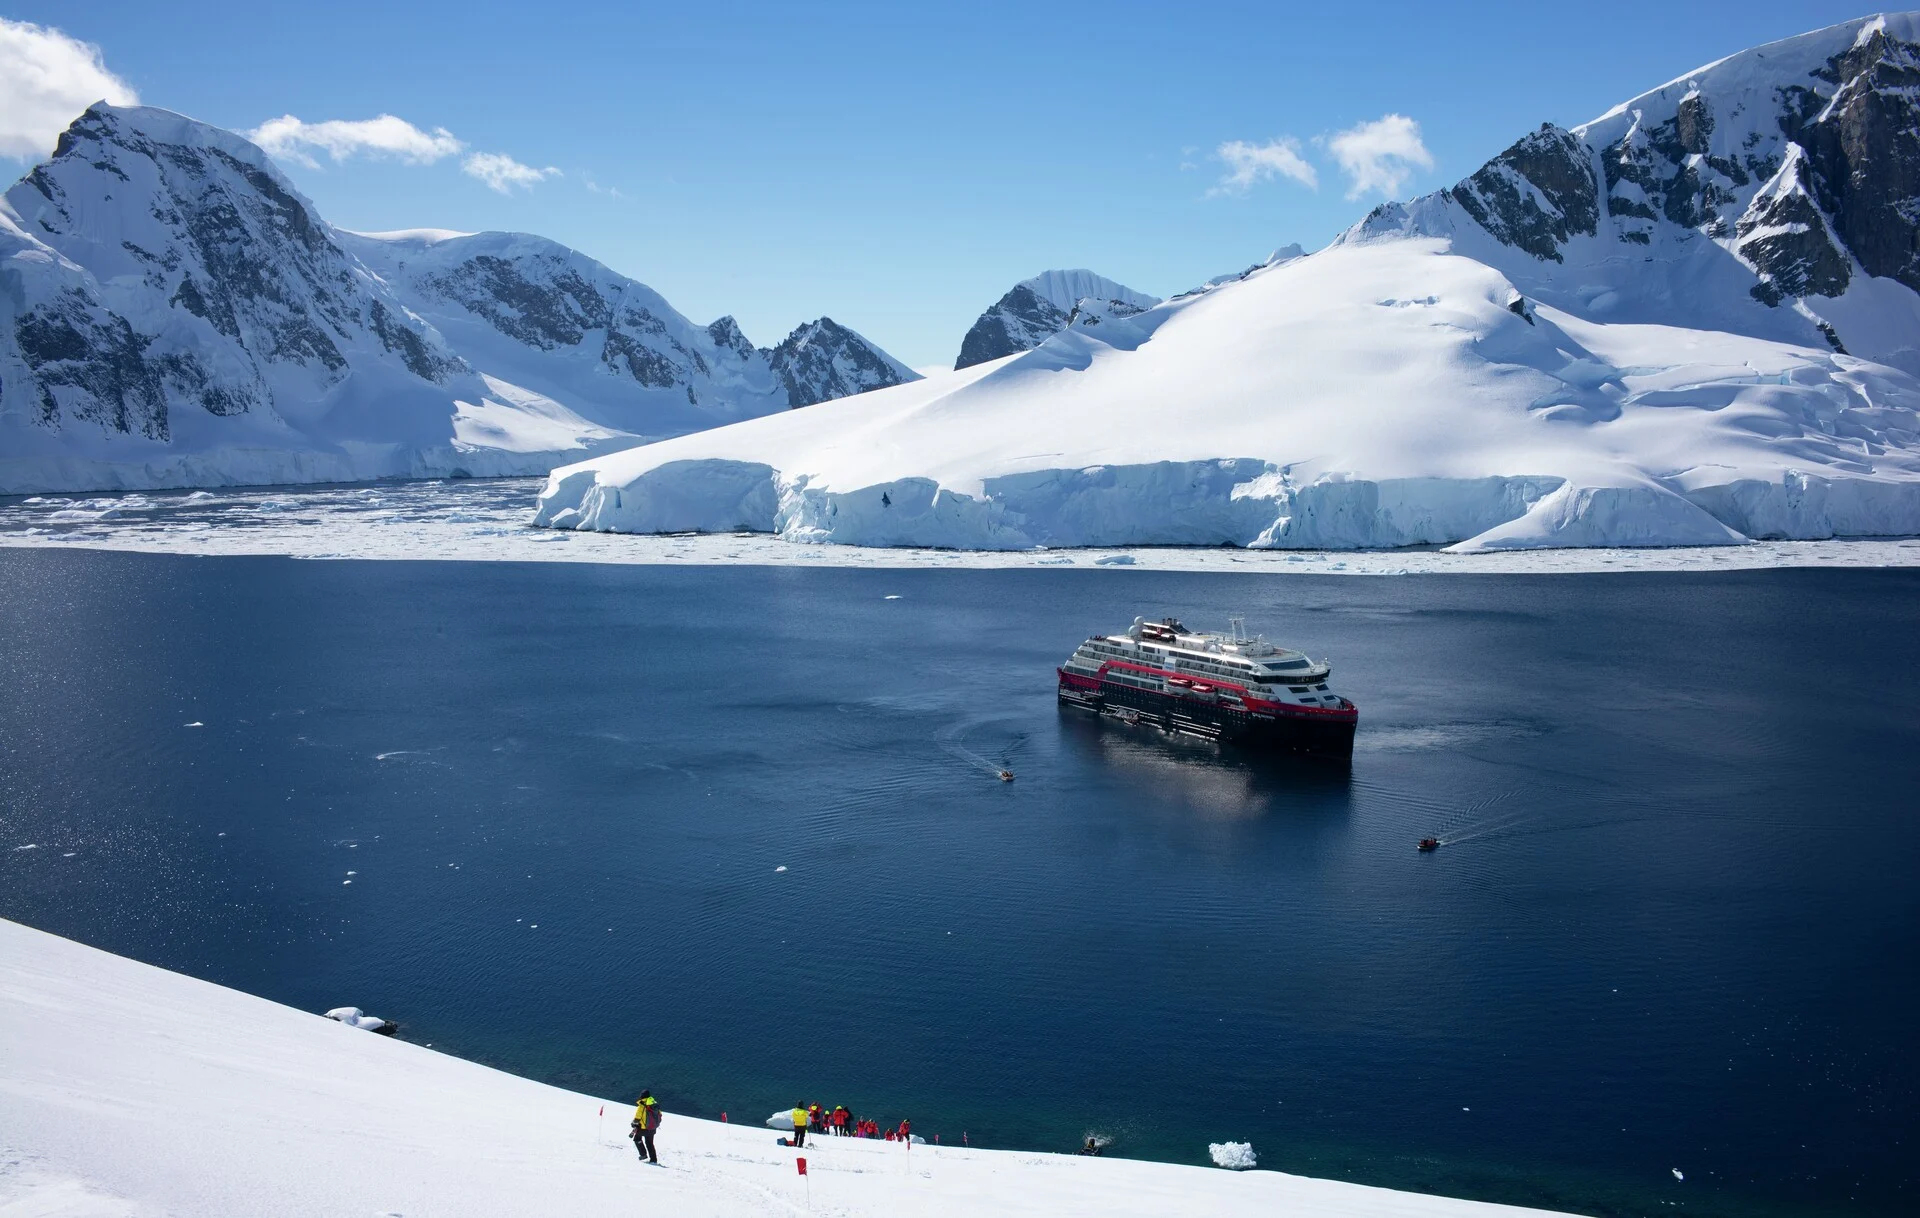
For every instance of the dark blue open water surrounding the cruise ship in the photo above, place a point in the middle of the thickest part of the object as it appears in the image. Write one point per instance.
(1675, 925)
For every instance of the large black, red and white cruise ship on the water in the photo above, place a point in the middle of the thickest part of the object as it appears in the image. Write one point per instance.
(1222, 687)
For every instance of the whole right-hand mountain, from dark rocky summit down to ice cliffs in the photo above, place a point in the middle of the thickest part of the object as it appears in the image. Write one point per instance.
(1524, 360)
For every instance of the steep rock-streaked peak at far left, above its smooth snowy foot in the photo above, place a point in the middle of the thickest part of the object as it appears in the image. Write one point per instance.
(191, 274)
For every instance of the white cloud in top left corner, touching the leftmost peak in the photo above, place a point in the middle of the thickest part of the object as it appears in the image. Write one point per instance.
(47, 80)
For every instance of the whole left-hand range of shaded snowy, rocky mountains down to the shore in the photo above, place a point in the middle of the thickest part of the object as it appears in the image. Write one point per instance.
(176, 314)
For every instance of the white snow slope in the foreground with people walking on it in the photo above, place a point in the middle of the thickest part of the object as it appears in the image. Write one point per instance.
(130, 1092)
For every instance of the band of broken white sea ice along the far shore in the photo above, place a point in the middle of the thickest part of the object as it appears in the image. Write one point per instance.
(485, 520)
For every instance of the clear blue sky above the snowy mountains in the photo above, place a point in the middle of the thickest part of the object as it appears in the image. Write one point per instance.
(900, 166)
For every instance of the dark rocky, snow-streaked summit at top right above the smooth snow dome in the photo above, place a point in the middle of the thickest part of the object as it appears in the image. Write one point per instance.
(1785, 178)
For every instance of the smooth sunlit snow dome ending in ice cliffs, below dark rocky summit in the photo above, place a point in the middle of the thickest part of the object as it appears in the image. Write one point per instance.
(1383, 393)
